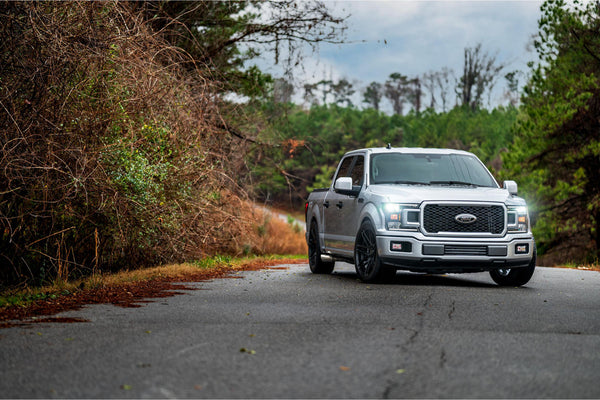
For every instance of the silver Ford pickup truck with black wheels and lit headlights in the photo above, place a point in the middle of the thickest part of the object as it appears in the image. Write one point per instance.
(422, 210)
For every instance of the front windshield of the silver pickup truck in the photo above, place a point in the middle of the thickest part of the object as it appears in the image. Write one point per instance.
(429, 169)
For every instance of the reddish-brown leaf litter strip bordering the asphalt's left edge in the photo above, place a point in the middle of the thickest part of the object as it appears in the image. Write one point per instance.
(131, 294)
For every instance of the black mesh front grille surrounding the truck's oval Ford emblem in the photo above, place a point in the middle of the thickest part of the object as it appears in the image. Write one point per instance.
(441, 218)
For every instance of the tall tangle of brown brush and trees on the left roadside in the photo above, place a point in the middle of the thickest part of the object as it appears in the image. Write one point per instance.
(116, 150)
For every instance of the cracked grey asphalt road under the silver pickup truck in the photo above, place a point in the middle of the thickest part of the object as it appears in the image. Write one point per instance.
(288, 333)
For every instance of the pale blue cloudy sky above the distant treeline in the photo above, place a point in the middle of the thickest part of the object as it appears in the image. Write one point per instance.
(415, 37)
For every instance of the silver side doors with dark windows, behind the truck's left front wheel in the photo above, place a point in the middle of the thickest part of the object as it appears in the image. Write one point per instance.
(341, 210)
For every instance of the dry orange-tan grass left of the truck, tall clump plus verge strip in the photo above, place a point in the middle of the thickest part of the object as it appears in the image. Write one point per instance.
(262, 237)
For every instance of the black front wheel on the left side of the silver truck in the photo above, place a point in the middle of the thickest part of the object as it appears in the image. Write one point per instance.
(367, 263)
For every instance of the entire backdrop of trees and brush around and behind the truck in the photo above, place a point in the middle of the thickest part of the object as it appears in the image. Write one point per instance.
(137, 134)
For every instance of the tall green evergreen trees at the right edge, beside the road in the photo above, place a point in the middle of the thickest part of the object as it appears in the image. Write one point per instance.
(556, 151)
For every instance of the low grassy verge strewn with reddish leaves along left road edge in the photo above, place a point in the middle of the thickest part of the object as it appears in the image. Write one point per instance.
(125, 288)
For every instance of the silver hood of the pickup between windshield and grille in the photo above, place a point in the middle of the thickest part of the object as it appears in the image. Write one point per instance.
(417, 194)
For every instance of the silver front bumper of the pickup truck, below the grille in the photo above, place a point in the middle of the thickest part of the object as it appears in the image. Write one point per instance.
(447, 255)
